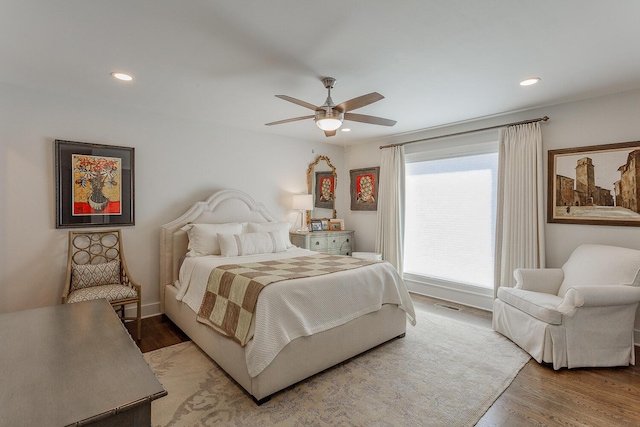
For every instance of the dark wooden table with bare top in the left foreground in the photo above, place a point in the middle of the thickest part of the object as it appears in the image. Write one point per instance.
(73, 364)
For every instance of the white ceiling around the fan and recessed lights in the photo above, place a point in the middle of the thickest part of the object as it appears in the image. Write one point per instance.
(436, 62)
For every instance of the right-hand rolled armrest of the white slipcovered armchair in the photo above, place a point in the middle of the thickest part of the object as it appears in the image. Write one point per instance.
(598, 296)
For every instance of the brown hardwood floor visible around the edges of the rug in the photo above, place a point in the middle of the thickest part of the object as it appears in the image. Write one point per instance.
(539, 396)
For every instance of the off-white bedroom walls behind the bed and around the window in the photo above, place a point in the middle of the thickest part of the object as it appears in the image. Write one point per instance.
(179, 161)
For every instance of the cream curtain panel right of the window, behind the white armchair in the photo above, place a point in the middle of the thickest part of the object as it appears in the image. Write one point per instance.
(520, 210)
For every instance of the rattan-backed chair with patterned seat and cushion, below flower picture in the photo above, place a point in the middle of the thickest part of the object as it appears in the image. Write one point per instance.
(96, 268)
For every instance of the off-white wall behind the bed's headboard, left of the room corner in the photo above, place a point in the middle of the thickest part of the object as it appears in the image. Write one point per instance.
(177, 162)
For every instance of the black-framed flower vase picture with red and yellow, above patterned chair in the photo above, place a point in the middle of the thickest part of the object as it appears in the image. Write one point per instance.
(94, 185)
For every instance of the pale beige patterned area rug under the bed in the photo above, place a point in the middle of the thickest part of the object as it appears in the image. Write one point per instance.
(443, 373)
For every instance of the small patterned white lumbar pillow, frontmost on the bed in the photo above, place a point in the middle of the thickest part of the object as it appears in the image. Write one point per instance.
(251, 243)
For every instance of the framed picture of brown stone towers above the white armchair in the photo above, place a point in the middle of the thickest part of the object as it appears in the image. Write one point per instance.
(595, 185)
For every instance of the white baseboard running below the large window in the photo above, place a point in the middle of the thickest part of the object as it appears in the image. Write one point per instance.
(471, 296)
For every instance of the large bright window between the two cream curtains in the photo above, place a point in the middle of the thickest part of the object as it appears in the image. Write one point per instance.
(451, 216)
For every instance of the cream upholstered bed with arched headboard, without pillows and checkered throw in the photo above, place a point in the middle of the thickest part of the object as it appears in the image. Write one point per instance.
(305, 353)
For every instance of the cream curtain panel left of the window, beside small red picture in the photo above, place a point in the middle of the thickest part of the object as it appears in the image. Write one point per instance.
(390, 220)
